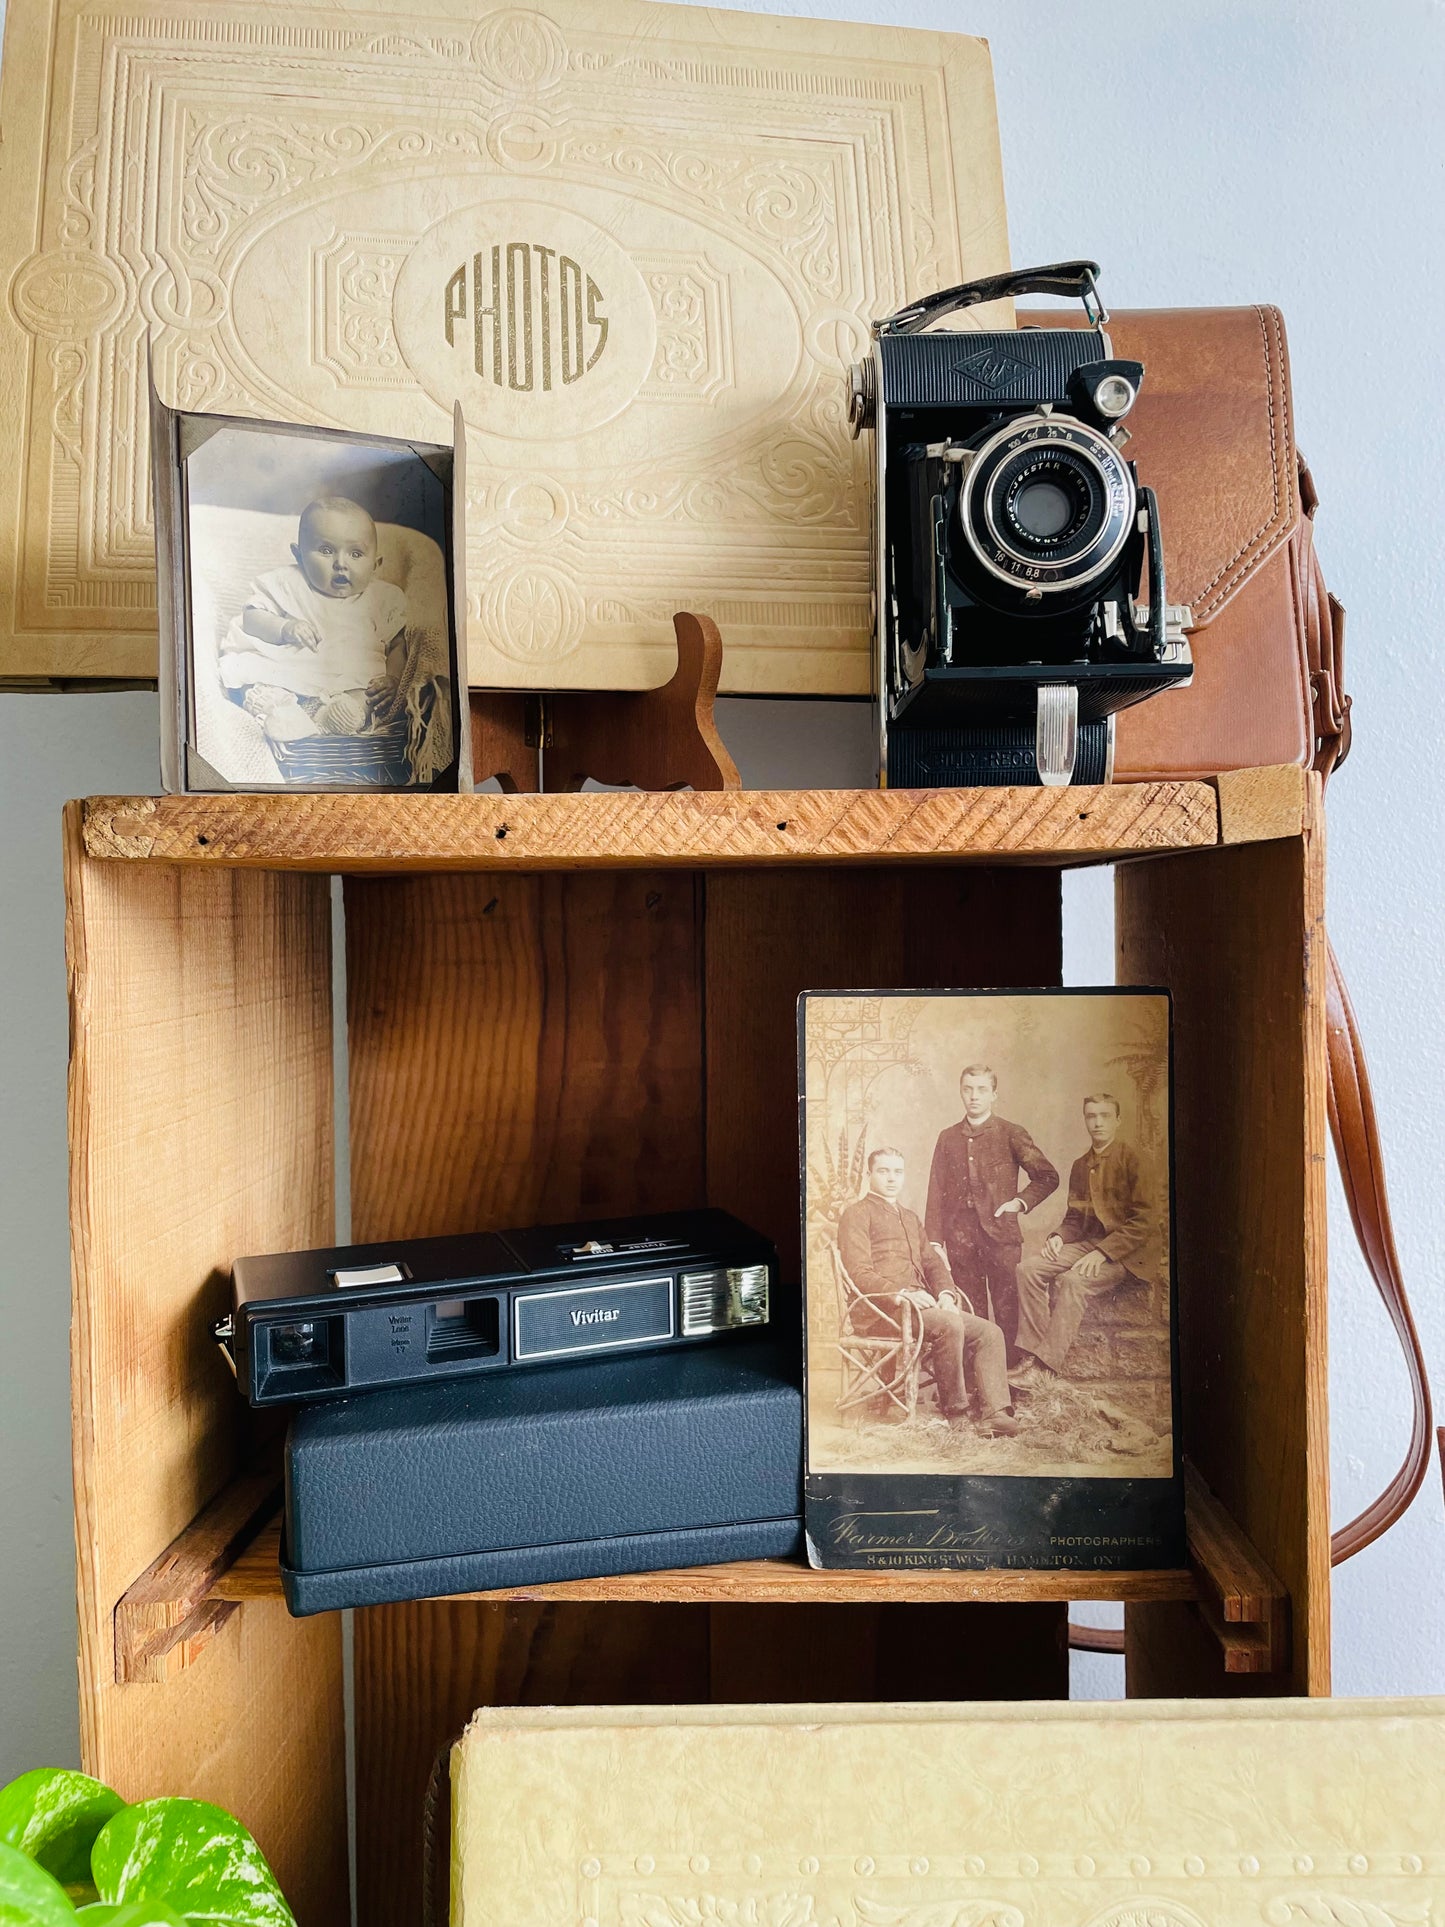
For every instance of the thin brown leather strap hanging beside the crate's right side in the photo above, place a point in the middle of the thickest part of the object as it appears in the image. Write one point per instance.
(1361, 1167)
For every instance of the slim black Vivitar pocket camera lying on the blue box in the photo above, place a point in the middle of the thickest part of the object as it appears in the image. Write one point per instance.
(317, 1325)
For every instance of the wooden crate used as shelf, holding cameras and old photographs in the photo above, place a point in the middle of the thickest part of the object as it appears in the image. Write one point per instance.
(575, 1005)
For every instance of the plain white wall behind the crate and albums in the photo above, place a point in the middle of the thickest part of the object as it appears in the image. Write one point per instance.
(1203, 153)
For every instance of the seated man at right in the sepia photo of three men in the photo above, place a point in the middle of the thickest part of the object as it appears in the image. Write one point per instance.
(1109, 1238)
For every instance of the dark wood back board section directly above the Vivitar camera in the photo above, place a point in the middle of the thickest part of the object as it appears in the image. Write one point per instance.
(523, 1049)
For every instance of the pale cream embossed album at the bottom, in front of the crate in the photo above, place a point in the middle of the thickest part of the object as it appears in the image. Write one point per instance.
(1142, 1814)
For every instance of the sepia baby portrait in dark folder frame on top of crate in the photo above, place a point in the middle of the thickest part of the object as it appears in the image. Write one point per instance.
(307, 608)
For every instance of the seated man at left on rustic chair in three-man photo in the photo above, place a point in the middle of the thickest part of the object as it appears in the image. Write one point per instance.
(887, 1255)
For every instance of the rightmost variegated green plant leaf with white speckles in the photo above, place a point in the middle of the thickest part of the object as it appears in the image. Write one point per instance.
(192, 1857)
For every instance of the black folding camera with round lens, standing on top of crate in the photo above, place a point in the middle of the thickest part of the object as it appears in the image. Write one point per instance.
(1018, 560)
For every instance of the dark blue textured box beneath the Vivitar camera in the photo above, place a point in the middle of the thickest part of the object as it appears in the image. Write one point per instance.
(577, 1471)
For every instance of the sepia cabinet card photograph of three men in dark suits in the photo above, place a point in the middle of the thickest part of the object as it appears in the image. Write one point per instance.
(991, 1358)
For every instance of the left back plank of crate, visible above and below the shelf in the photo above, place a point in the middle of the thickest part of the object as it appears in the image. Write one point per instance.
(523, 1049)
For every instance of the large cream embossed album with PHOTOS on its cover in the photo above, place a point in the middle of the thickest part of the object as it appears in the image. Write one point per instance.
(696, 215)
